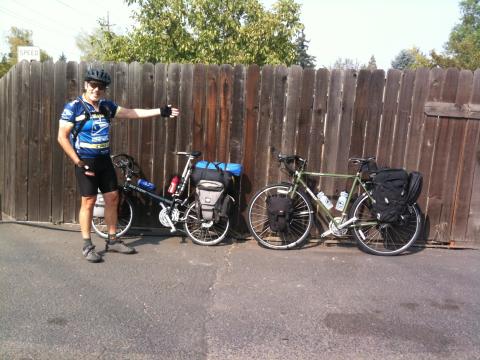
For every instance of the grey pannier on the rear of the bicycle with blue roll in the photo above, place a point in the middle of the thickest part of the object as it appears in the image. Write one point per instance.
(209, 198)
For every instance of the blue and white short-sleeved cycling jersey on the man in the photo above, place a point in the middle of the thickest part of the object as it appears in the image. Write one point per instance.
(93, 140)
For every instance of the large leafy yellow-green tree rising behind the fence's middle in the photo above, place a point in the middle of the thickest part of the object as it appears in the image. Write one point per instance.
(202, 31)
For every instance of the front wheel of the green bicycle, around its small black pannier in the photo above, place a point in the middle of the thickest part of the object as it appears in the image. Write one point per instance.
(299, 225)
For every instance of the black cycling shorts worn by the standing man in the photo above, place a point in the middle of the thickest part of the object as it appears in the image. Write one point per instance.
(105, 177)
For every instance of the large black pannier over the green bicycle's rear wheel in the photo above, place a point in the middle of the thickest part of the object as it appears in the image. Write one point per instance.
(390, 193)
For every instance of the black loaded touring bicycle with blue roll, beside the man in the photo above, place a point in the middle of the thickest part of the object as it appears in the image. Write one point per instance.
(203, 214)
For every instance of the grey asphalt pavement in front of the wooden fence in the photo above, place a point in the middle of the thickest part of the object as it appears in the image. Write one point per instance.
(177, 300)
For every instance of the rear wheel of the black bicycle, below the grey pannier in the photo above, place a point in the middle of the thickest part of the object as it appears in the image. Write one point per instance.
(204, 232)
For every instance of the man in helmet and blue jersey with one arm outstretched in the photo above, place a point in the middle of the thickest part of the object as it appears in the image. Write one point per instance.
(83, 135)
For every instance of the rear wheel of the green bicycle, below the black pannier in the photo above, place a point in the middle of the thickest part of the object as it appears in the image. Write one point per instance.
(384, 238)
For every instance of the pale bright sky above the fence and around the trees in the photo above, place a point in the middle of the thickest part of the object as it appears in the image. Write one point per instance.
(354, 29)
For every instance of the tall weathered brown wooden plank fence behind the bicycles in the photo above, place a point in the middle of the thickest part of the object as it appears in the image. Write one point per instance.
(421, 119)
